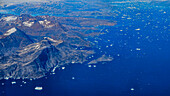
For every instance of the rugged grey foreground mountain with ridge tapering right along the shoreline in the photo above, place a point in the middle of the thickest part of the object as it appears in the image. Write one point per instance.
(37, 59)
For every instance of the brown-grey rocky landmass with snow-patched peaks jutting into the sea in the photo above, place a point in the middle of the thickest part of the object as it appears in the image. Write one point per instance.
(32, 46)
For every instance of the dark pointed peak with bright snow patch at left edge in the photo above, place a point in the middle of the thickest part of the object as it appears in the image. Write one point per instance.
(14, 39)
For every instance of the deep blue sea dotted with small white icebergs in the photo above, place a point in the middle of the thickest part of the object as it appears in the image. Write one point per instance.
(141, 61)
